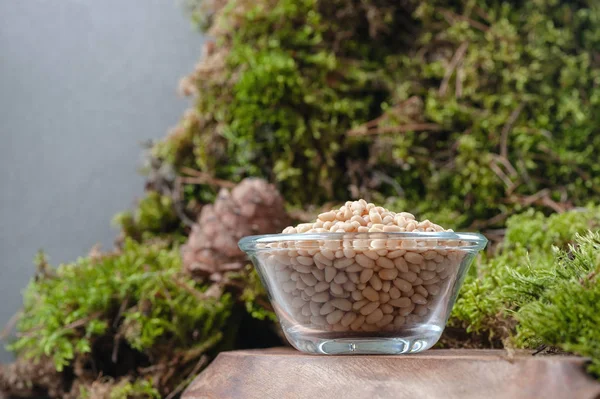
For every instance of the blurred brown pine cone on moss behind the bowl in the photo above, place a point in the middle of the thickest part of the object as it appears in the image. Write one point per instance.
(252, 207)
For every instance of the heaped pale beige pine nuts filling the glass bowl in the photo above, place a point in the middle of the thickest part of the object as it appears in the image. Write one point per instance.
(362, 282)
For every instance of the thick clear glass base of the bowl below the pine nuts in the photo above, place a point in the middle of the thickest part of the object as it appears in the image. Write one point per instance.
(412, 340)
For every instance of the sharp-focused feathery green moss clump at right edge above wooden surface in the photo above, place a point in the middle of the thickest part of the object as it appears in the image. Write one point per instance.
(564, 310)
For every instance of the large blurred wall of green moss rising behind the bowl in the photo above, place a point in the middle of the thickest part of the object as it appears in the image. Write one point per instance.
(467, 118)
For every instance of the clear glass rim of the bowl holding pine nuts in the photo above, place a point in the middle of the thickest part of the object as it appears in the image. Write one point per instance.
(476, 241)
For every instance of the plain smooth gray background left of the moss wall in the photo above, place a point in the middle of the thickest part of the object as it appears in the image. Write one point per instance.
(82, 83)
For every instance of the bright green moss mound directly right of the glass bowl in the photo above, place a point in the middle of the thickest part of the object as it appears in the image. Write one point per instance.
(498, 284)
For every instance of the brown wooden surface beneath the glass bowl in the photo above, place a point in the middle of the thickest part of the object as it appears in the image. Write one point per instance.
(286, 373)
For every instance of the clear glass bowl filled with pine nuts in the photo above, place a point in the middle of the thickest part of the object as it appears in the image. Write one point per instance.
(359, 293)
